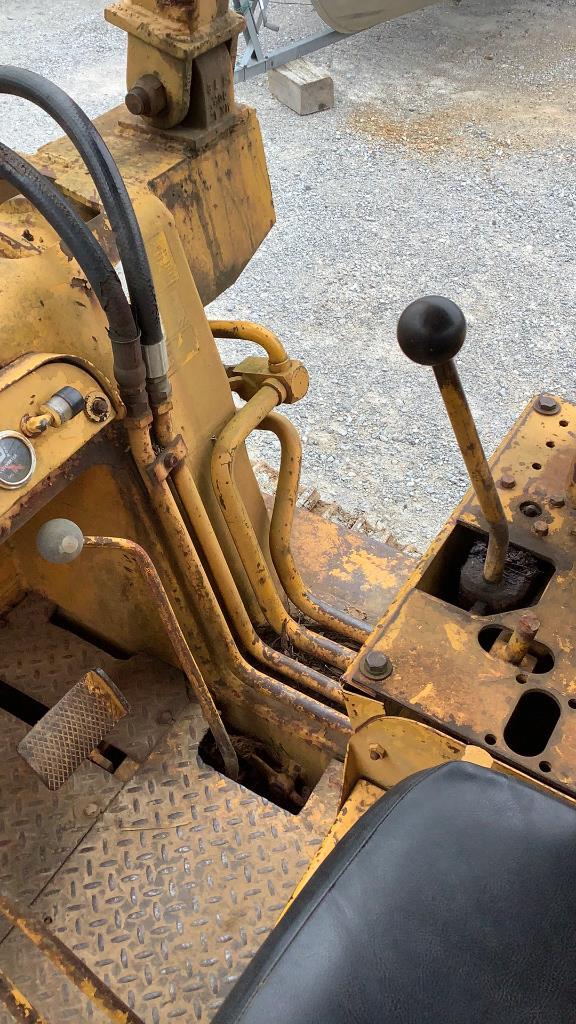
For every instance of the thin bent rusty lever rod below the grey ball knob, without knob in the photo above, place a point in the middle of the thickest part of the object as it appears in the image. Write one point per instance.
(186, 658)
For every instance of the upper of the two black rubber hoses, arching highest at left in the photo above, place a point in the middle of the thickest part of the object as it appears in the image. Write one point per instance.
(109, 183)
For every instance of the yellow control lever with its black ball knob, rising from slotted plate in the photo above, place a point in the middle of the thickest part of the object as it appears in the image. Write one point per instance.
(432, 332)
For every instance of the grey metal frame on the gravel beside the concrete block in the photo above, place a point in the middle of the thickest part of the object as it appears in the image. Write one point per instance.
(255, 61)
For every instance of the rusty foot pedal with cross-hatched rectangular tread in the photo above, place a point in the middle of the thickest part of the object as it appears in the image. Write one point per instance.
(68, 734)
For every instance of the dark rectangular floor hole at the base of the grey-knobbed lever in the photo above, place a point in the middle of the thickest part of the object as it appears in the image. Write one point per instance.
(266, 773)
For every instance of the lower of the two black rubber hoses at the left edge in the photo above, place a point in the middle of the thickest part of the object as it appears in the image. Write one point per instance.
(129, 364)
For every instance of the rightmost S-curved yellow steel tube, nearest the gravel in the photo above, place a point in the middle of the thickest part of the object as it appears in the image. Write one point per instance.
(281, 532)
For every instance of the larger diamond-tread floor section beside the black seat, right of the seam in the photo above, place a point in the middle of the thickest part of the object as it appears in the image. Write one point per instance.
(177, 886)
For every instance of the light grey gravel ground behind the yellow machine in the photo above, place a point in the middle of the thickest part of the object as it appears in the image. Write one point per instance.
(446, 166)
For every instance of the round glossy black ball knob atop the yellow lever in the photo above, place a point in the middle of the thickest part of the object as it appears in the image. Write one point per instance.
(432, 330)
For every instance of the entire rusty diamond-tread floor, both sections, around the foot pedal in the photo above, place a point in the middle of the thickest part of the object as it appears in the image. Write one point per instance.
(180, 878)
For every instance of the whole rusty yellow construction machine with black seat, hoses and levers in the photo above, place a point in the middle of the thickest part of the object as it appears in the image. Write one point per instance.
(255, 767)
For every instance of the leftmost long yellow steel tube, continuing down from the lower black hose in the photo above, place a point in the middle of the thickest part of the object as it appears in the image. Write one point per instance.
(332, 722)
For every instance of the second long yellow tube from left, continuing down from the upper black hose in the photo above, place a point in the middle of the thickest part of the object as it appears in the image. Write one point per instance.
(226, 584)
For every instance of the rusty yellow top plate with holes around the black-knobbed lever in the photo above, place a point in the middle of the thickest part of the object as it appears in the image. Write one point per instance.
(442, 675)
